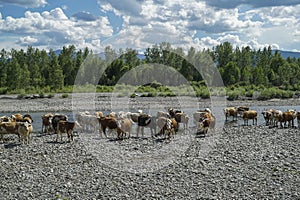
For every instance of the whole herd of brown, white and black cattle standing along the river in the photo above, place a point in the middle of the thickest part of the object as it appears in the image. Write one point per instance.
(164, 124)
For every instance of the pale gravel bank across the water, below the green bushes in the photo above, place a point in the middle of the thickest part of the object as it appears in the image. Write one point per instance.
(109, 101)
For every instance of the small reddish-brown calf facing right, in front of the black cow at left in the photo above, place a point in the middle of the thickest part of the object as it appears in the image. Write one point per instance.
(66, 127)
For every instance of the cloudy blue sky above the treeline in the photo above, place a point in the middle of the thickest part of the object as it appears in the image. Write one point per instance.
(141, 23)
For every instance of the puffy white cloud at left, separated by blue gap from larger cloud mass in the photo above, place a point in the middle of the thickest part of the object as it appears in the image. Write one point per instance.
(54, 28)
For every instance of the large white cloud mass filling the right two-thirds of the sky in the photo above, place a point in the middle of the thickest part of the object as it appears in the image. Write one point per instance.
(152, 21)
